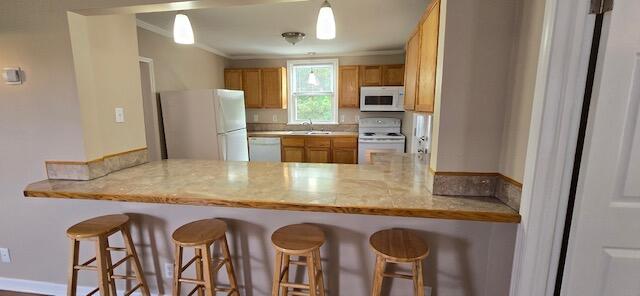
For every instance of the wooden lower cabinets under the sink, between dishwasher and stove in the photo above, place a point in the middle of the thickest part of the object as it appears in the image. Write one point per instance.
(320, 149)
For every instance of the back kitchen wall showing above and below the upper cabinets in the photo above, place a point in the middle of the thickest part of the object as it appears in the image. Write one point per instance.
(345, 116)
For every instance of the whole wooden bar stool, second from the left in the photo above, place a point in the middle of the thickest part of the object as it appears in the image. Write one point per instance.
(201, 235)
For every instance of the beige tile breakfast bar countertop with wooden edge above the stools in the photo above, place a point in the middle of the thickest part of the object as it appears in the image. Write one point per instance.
(392, 186)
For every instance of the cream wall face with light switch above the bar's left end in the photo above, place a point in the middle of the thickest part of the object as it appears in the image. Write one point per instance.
(108, 76)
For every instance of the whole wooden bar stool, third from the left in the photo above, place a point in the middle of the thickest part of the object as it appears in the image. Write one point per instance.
(302, 240)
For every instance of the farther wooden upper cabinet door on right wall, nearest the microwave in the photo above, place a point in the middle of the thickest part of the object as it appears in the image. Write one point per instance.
(412, 60)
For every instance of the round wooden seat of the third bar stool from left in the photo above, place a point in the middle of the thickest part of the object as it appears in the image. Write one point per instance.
(297, 238)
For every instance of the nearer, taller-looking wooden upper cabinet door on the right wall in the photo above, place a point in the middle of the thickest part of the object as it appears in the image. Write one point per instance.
(428, 57)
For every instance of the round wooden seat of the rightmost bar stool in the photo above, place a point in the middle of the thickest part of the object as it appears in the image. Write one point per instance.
(399, 245)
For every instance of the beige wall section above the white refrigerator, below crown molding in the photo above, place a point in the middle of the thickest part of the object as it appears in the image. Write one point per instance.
(180, 67)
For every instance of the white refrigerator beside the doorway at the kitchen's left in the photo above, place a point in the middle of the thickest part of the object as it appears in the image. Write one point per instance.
(205, 124)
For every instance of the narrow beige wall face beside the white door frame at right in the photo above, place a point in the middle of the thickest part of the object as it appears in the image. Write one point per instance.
(522, 82)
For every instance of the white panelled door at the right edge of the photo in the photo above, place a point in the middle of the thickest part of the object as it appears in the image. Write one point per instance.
(604, 247)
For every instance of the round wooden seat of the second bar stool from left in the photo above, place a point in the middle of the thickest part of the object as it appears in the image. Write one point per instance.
(201, 232)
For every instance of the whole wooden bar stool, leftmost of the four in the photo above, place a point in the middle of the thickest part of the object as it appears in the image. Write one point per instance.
(99, 229)
